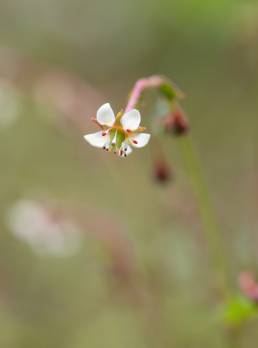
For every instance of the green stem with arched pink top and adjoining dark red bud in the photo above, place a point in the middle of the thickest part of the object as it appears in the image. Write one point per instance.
(177, 124)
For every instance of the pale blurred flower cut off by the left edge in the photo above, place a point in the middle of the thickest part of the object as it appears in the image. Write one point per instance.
(9, 105)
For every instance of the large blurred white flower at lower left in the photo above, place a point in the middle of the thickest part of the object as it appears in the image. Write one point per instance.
(46, 231)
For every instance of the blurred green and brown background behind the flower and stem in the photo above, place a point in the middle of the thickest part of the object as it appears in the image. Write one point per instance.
(94, 250)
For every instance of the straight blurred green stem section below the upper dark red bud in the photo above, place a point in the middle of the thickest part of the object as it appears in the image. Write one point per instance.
(211, 227)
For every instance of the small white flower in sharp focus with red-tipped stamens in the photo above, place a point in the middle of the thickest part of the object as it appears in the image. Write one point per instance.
(118, 133)
